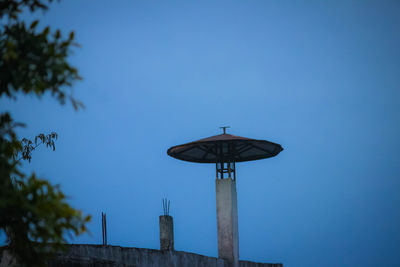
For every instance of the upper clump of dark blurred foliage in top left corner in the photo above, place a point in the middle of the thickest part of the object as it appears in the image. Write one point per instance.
(32, 61)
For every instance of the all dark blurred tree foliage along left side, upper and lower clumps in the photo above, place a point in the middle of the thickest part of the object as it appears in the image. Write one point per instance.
(34, 214)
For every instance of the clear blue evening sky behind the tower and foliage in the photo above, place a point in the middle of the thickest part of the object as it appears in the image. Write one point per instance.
(322, 78)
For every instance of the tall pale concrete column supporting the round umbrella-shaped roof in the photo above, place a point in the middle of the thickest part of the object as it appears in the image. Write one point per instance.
(227, 220)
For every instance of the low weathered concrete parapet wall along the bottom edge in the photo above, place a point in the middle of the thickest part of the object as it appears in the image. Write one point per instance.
(113, 256)
